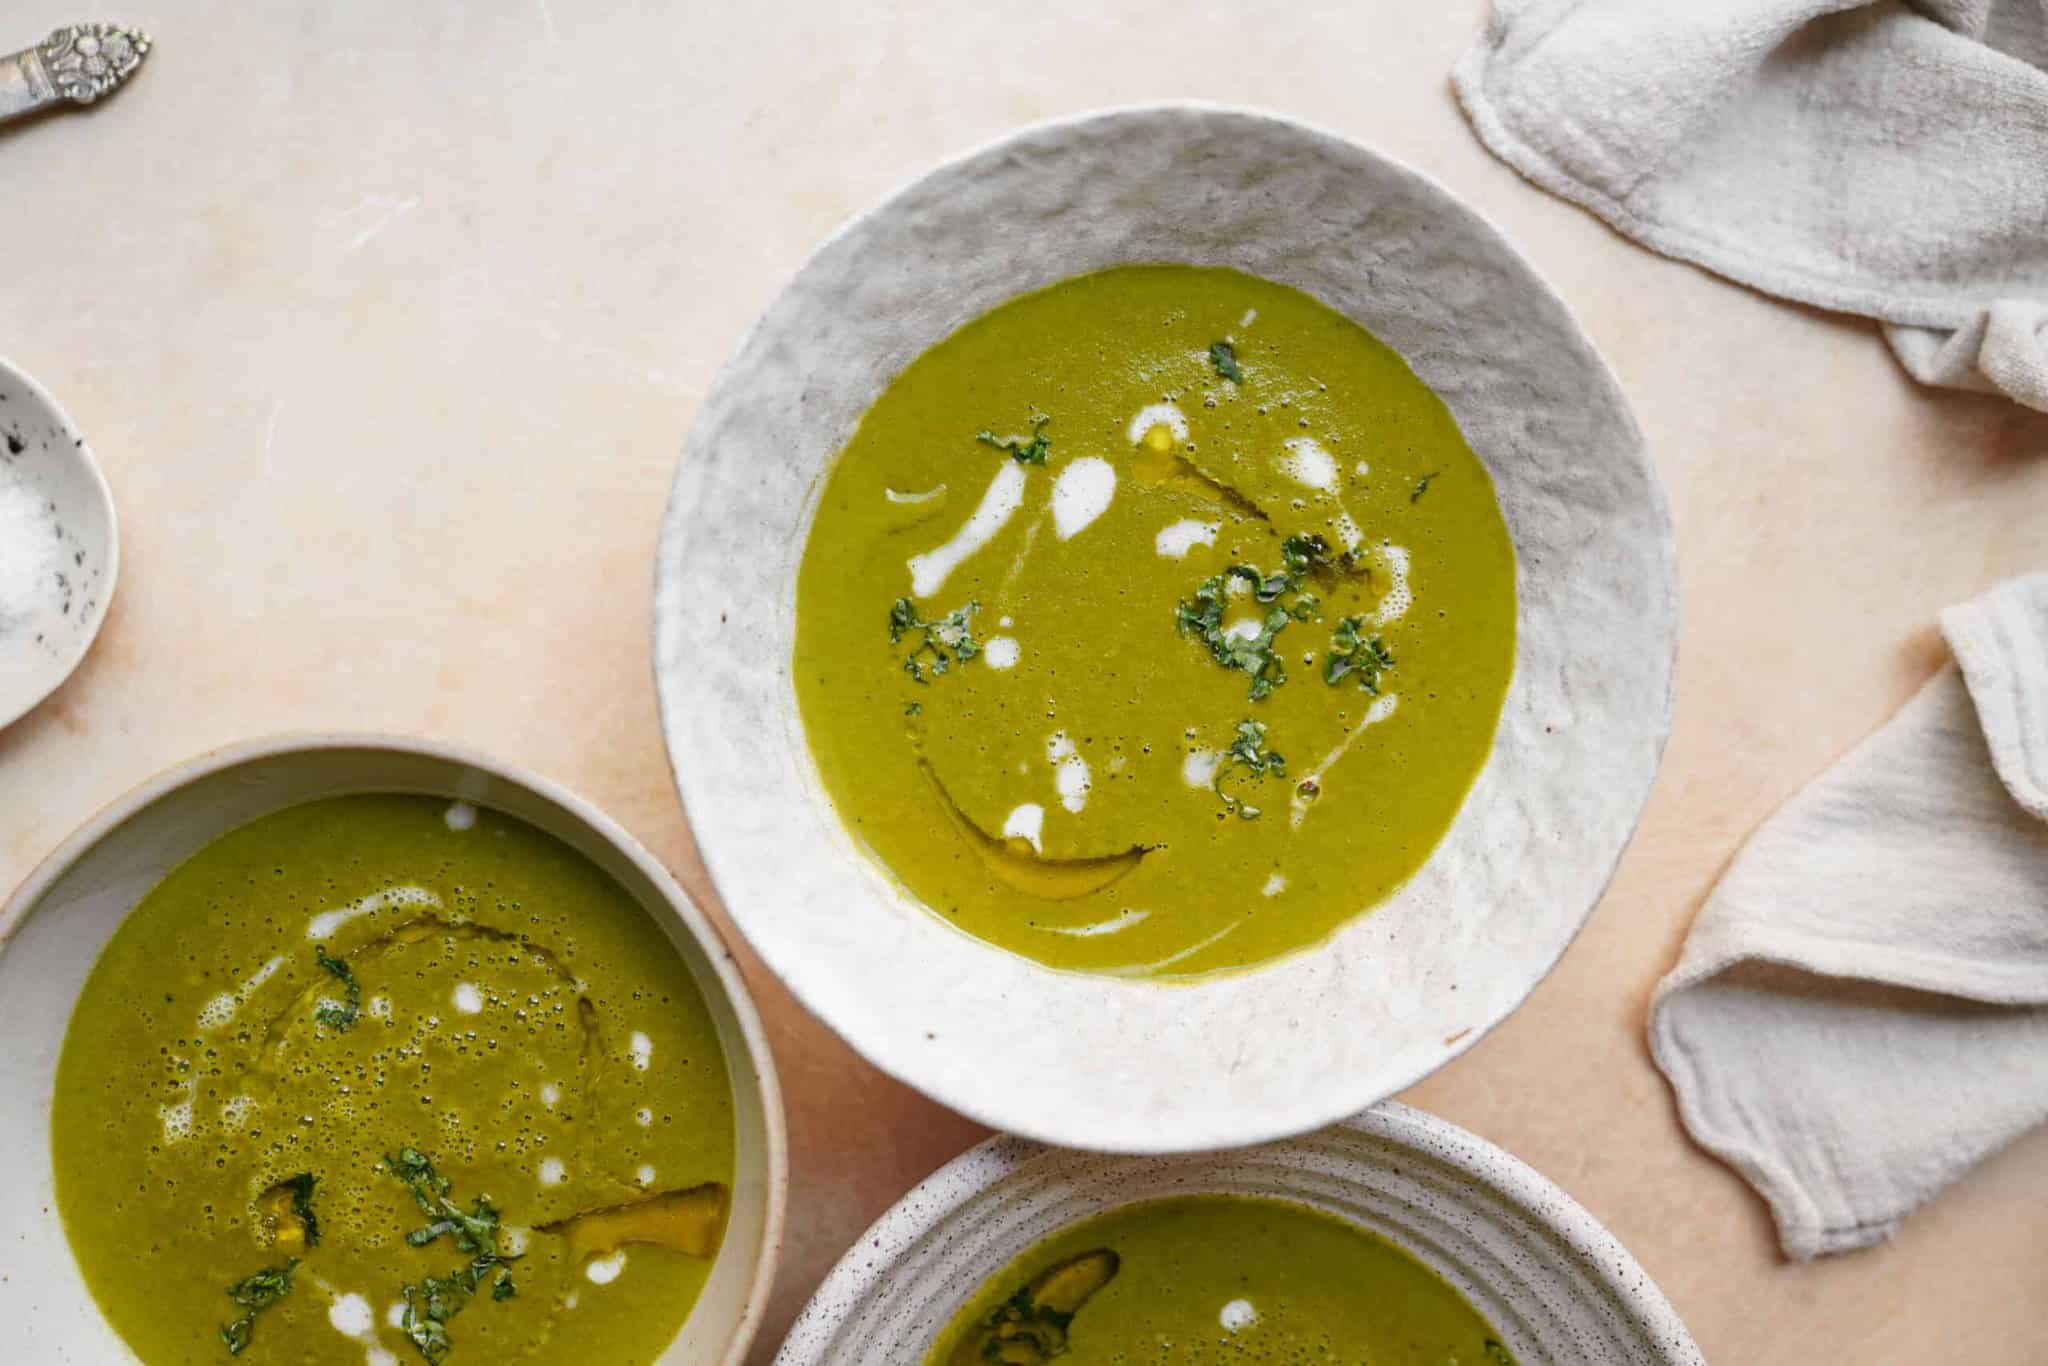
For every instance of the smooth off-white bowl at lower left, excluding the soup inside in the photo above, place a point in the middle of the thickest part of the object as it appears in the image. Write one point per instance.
(54, 927)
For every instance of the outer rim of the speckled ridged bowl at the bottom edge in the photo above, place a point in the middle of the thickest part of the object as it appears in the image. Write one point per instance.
(998, 1158)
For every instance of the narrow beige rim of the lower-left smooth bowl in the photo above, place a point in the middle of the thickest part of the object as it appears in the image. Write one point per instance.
(708, 935)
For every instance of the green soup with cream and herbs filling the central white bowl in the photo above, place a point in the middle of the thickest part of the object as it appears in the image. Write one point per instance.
(1154, 624)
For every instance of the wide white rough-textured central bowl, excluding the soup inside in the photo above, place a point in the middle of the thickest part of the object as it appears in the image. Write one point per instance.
(1299, 1043)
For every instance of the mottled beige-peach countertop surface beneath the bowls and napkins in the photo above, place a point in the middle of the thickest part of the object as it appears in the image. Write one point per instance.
(388, 323)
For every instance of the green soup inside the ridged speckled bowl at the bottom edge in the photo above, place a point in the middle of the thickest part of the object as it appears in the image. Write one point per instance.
(1218, 1279)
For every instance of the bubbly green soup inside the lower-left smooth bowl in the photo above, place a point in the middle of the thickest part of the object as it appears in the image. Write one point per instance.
(386, 1078)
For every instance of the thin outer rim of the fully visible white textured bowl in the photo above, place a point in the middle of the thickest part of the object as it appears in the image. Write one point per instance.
(697, 785)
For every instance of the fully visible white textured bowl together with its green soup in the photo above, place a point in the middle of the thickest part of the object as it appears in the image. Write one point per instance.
(1164, 630)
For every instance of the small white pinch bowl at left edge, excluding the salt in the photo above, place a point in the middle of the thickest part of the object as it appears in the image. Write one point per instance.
(44, 452)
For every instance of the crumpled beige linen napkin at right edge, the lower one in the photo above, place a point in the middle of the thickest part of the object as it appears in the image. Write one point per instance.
(1861, 1011)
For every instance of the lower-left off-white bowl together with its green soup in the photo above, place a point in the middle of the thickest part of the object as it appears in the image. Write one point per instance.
(370, 1052)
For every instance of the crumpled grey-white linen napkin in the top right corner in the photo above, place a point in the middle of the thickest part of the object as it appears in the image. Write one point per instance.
(1867, 157)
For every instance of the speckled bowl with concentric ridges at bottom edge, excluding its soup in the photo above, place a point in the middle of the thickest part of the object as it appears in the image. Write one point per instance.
(1543, 1273)
